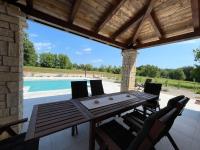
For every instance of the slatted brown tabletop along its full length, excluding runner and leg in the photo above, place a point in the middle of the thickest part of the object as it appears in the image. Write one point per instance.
(56, 116)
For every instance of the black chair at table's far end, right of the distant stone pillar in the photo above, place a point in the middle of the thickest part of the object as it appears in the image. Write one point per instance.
(152, 105)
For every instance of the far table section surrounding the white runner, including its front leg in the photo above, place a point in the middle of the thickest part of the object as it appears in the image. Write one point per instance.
(105, 112)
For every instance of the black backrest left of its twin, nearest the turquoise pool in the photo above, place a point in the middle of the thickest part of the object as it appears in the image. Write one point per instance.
(79, 89)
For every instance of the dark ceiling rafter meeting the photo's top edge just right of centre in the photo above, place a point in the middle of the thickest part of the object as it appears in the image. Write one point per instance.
(109, 14)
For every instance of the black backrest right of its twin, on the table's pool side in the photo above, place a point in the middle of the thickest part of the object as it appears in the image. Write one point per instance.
(96, 87)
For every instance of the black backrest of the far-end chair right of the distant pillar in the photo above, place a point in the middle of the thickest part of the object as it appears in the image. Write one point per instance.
(153, 88)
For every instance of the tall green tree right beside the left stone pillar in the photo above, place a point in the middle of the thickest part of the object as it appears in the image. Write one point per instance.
(30, 56)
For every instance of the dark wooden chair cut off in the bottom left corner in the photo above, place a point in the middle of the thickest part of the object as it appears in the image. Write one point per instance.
(16, 141)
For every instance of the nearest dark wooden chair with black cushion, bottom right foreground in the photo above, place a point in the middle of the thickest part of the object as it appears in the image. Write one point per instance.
(113, 136)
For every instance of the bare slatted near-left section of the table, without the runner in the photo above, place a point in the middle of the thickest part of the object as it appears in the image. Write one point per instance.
(53, 117)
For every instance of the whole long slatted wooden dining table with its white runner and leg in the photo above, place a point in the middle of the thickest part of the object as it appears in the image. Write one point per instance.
(52, 117)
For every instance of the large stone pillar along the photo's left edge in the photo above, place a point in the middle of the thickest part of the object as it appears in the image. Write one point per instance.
(11, 63)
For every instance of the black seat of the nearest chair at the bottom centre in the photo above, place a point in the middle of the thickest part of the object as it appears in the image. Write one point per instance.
(117, 133)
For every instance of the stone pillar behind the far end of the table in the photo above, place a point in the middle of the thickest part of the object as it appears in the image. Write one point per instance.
(128, 70)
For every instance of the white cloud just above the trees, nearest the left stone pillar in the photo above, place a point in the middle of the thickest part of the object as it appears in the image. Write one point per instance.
(44, 46)
